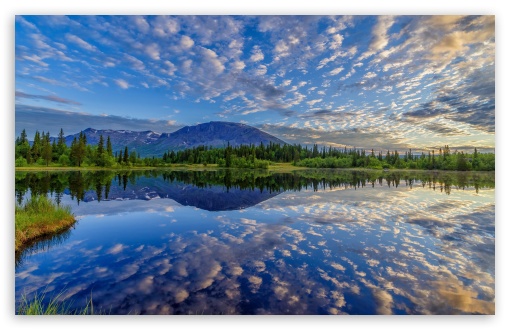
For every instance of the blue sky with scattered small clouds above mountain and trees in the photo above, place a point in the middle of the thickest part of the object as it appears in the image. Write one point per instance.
(382, 82)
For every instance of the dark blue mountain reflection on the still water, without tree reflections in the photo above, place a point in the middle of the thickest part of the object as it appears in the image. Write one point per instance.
(211, 198)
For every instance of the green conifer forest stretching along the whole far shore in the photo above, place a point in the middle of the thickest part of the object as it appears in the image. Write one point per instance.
(44, 151)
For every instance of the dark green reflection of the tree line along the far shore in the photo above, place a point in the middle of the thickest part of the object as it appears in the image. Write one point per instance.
(77, 183)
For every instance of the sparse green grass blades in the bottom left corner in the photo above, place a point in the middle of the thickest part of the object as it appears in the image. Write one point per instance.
(56, 306)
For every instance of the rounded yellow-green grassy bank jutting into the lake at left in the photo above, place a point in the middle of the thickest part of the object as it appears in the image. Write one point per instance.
(39, 217)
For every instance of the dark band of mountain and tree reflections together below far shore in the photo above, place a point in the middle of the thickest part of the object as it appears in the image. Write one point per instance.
(230, 189)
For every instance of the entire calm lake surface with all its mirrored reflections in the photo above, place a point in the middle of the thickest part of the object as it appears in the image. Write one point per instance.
(256, 242)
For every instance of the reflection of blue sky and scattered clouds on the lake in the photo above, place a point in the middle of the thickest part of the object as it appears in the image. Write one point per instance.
(326, 252)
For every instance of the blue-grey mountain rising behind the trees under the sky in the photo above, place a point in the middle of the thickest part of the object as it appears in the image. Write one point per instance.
(148, 143)
